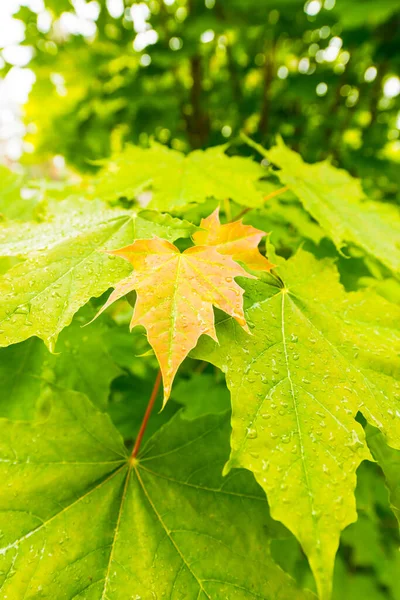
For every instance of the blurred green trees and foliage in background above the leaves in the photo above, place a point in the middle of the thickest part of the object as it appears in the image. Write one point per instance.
(193, 73)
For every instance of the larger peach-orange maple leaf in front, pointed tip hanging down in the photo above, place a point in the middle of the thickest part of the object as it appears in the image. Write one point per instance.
(175, 296)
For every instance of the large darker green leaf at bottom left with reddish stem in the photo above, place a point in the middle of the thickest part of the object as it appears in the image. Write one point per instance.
(81, 521)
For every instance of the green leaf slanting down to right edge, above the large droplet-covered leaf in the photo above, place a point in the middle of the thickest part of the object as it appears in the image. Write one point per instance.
(336, 200)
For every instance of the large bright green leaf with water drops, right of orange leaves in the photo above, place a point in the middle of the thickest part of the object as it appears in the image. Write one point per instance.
(317, 356)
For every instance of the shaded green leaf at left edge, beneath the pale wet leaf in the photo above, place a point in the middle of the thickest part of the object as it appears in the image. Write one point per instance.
(81, 362)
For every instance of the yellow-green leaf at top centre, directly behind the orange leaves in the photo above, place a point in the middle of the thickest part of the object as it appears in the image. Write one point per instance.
(177, 180)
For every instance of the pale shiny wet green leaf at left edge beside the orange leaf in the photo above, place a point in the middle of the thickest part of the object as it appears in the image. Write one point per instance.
(67, 265)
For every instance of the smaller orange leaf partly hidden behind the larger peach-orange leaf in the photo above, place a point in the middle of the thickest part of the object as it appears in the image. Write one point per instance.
(234, 239)
